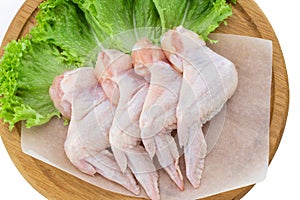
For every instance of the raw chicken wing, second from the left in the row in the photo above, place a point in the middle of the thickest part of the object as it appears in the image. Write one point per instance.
(115, 73)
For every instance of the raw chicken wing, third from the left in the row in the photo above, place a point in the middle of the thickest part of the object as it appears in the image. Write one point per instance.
(158, 117)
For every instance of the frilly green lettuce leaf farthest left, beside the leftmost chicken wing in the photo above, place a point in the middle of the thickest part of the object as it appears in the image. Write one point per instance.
(26, 73)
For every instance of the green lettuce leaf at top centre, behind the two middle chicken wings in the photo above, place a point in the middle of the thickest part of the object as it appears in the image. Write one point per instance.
(120, 23)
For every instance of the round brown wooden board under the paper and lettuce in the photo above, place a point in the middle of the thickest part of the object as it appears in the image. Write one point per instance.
(53, 183)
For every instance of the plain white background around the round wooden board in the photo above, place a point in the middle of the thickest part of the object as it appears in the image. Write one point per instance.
(283, 177)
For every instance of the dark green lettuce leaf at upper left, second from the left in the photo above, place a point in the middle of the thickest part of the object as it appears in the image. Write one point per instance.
(63, 24)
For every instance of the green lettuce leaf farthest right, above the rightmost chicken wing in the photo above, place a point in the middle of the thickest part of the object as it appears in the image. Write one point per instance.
(200, 16)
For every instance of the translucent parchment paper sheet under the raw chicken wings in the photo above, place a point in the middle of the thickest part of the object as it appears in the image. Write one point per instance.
(239, 156)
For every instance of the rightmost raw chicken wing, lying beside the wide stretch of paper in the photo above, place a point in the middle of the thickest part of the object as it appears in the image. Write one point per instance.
(209, 80)
